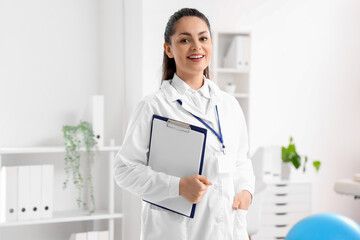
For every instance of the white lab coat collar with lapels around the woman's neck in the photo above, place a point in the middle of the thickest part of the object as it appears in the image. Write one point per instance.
(171, 94)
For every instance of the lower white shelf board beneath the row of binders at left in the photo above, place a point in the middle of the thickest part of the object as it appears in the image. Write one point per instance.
(66, 216)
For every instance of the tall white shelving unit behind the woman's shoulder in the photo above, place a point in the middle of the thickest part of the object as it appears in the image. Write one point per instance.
(239, 76)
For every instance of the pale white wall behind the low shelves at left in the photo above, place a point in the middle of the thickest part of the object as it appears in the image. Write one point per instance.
(53, 56)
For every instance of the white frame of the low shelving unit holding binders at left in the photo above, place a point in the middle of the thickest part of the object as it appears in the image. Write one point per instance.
(108, 214)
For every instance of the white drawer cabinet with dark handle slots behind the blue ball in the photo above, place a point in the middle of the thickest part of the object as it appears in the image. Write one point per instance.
(285, 203)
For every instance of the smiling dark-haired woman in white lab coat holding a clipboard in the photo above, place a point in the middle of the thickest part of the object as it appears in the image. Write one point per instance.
(222, 197)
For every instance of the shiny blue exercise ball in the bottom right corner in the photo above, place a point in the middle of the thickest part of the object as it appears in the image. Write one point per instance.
(325, 226)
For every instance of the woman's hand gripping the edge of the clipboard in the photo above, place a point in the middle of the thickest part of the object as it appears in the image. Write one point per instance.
(193, 187)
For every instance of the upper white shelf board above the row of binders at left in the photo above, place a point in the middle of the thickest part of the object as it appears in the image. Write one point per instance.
(26, 150)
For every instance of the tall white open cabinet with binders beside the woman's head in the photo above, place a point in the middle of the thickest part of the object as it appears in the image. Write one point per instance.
(231, 65)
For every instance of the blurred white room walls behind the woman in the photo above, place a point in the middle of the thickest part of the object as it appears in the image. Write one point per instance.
(304, 78)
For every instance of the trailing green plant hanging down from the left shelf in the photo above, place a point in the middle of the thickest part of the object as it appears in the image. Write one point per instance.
(76, 137)
